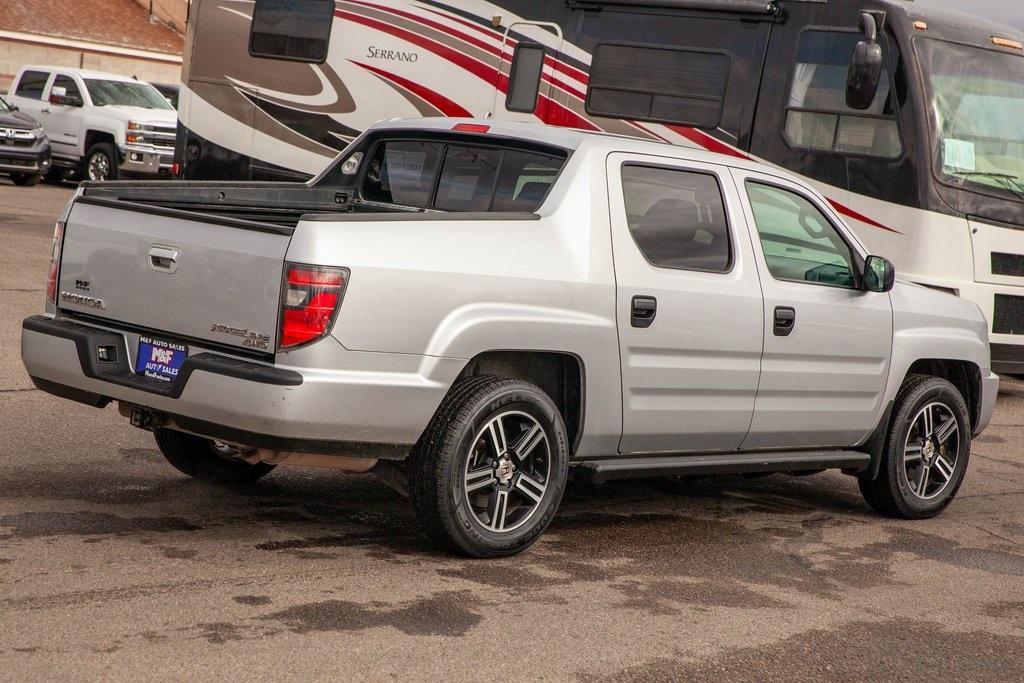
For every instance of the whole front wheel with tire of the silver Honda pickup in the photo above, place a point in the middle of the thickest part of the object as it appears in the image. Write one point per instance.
(927, 452)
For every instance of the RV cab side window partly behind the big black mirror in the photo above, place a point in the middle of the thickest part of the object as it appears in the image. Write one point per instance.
(818, 117)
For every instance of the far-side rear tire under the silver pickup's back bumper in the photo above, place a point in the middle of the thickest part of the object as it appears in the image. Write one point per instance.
(201, 459)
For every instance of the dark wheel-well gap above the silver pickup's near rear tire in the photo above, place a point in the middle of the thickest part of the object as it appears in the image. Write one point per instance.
(561, 374)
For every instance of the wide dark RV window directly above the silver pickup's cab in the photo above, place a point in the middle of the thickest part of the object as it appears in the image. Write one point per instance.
(667, 84)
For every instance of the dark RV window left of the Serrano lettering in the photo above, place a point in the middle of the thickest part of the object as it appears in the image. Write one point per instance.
(296, 30)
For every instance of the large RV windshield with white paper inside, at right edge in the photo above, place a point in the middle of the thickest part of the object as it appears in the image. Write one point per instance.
(977, 97)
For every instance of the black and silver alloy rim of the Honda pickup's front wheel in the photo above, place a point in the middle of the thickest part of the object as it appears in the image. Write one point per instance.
(932, 451)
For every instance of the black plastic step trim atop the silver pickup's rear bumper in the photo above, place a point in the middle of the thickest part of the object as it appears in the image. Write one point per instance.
(88, 339)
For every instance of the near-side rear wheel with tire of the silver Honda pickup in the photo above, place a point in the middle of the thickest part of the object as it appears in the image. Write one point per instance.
(488, 476)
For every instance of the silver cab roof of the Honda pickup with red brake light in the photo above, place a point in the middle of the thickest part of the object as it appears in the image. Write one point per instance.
(572, 140)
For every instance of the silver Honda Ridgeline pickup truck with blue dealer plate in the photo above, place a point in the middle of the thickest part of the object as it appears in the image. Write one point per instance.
(476, 310)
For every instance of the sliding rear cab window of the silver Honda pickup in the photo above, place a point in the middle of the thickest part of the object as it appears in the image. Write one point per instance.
(459, 178)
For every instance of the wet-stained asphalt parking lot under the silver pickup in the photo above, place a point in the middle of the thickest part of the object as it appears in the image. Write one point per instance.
(112, 564)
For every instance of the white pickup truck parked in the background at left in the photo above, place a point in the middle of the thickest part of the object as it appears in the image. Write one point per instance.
(102, 126)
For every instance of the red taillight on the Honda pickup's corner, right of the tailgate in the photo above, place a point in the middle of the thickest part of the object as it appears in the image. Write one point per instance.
(312, 298)
